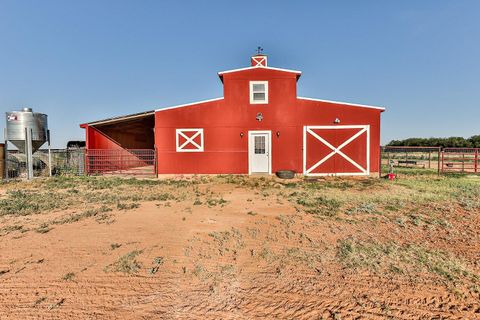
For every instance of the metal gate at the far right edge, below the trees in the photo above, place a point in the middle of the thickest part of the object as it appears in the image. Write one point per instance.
(464, 160)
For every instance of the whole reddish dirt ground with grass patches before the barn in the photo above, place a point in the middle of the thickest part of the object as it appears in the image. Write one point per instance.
(232, 247)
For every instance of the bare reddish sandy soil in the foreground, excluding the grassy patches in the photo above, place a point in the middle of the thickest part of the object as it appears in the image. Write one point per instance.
(256, 256)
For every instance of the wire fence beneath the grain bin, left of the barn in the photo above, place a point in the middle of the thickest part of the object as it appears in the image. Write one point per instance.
(60, 162)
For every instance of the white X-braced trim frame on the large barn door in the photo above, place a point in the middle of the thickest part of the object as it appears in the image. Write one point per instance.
(336, 150)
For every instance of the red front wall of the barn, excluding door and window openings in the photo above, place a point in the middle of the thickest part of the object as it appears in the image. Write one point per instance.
(225, 151)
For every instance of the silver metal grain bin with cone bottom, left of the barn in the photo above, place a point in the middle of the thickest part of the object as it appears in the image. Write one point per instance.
(18, 121)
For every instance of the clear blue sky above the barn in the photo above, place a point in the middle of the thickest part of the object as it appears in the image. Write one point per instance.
(82, 60)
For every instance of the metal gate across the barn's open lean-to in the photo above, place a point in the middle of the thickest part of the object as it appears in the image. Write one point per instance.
(121, 161)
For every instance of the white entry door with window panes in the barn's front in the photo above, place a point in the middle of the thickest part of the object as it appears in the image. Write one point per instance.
(259, 150)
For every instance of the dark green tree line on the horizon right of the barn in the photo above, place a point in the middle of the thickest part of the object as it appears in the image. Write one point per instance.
(451, 142)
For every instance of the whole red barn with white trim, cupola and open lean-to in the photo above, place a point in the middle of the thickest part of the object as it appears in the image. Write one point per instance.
(260, 125)
